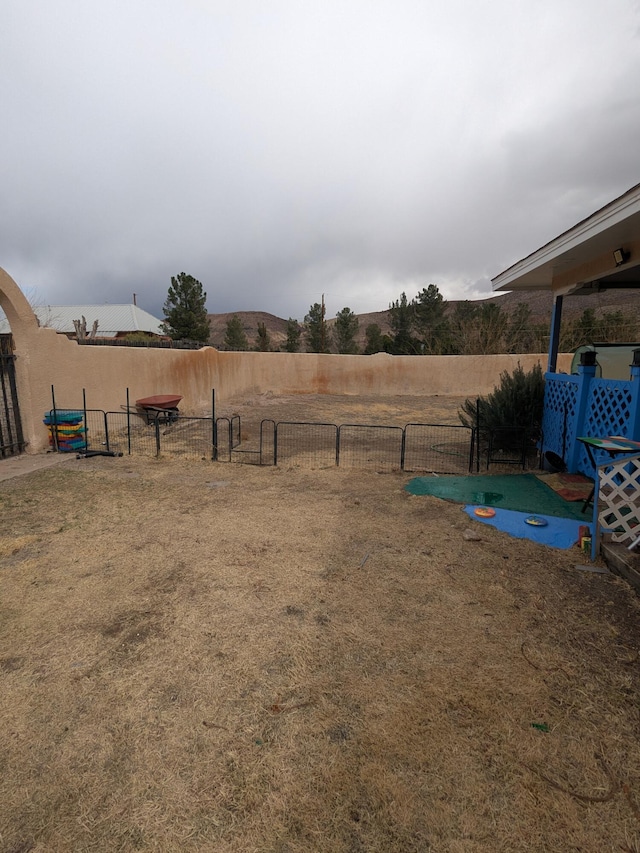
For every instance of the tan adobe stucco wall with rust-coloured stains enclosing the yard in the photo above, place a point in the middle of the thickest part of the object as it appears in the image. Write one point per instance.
(46, 359)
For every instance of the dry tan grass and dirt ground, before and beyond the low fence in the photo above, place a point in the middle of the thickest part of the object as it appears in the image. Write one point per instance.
(199, 656)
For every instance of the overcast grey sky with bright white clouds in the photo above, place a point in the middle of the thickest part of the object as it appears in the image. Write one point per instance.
(281, 149)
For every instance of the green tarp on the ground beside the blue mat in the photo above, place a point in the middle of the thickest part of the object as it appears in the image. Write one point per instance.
(520, 492)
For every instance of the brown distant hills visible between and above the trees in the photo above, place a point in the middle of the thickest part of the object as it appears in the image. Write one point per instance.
(540, 302)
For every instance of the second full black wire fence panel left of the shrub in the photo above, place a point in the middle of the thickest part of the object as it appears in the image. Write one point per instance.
(378, 448)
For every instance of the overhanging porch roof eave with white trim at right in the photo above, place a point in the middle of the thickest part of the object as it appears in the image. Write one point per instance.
(581, 259)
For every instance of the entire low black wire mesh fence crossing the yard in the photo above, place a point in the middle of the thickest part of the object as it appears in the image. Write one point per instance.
(438, 448)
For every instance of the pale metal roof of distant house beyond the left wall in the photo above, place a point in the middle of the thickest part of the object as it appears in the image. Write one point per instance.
(113, 320)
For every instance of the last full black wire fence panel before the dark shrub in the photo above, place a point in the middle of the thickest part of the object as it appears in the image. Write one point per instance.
(443, 449)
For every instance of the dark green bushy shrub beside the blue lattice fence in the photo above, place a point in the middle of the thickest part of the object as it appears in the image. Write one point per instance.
(517, 402)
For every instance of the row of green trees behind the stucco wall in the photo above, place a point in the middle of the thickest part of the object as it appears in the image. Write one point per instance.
(424, 325)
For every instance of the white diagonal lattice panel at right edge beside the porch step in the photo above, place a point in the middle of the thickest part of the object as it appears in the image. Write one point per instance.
(617, 501)
